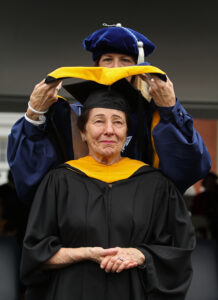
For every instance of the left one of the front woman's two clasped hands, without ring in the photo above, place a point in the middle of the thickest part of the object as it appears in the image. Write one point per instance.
(97, 254)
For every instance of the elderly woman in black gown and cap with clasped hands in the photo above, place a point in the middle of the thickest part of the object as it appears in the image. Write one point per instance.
(105, 226)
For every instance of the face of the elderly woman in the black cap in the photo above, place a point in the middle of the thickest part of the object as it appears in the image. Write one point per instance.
(105, 132)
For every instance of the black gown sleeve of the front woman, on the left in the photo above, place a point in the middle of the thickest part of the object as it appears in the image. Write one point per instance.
(42, 239)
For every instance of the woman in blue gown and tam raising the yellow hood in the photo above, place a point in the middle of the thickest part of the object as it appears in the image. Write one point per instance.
(38, 143)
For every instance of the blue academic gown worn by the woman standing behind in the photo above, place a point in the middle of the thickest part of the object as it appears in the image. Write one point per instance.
(183, 157)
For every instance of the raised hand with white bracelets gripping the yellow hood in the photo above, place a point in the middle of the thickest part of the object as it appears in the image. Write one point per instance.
(42, 97)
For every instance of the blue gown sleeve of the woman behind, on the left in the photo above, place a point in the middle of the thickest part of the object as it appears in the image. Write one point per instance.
(30, 155)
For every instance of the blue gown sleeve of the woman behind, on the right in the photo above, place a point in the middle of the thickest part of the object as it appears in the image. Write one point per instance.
(183, 155)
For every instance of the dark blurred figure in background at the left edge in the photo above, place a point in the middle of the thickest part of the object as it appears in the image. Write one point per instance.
(13, 213)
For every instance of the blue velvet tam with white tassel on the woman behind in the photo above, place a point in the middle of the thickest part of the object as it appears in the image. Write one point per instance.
(118, 39)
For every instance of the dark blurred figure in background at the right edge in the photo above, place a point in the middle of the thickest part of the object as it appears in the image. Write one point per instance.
(205, 208)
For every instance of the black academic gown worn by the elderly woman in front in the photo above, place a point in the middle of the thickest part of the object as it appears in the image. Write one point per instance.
(73, 210)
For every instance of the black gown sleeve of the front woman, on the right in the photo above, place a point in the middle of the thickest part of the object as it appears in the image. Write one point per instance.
(168, 270)
